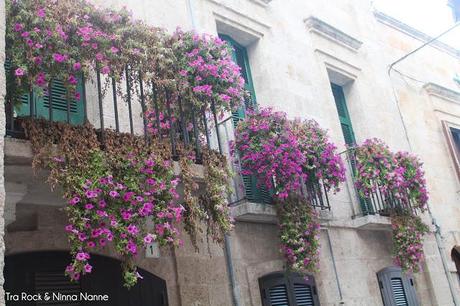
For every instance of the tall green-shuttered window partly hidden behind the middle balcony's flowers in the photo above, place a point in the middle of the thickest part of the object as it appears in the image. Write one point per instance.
(240, 56)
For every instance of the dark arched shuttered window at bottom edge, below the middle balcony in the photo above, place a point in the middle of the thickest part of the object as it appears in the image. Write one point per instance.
(281, 289)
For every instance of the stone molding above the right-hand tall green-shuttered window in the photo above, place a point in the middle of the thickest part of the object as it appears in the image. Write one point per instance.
(326, 30)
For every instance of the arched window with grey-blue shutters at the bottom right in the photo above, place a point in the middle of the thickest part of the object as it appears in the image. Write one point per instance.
(397, 289)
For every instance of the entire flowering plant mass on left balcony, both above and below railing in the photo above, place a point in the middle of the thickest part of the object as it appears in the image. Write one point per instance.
(118, 184)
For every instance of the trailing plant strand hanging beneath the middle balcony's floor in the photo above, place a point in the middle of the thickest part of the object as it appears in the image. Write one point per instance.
(299, 234)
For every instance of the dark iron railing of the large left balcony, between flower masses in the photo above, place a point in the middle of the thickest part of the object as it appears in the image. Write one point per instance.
(124, 110)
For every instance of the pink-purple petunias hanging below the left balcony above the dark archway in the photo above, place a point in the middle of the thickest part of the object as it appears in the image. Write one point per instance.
(109, 210)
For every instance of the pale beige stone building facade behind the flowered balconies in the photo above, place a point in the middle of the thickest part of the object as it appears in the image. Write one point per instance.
(295, 50)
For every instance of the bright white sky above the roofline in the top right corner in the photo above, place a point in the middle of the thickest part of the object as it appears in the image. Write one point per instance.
(429, 16)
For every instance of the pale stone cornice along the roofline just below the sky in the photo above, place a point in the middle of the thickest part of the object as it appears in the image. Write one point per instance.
(406, 29)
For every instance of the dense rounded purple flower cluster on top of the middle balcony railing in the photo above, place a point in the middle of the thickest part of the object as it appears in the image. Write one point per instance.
(282, 153)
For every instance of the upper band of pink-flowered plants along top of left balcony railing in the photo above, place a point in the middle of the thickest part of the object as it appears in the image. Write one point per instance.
(50, 40)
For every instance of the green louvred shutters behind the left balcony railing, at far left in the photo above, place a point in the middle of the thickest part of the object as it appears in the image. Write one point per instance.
(40, 103)
